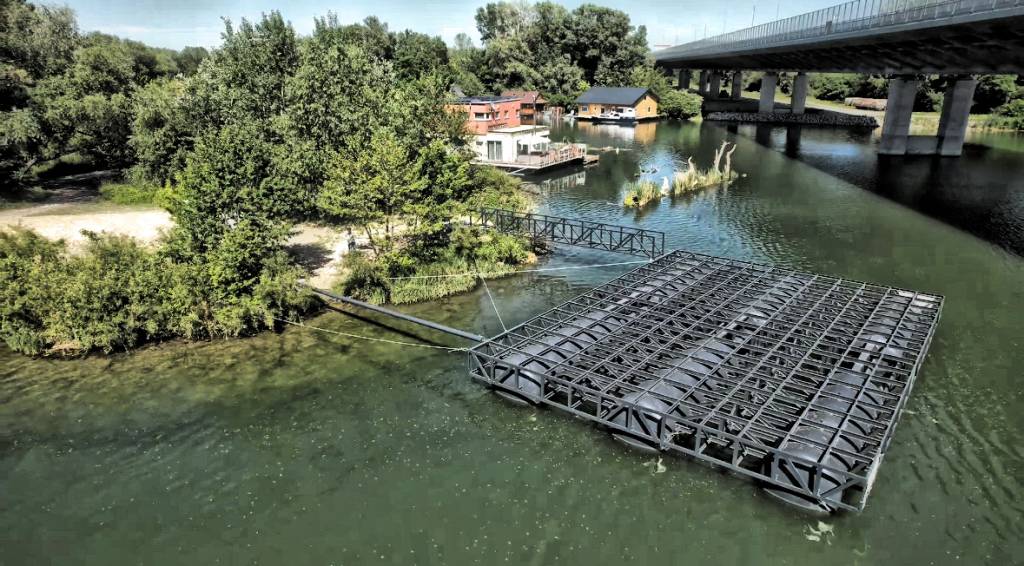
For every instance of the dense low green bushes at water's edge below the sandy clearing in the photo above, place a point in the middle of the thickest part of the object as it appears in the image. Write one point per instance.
(116, 295)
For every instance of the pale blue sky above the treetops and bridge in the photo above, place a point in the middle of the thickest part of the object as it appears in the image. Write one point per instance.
(177, 24)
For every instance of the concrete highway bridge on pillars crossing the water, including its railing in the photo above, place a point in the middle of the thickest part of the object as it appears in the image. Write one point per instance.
(903, 39)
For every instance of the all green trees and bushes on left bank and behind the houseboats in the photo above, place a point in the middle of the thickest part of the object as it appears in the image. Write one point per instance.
(347, 127)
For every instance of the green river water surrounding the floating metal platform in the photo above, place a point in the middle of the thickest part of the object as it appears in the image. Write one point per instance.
(309, 448)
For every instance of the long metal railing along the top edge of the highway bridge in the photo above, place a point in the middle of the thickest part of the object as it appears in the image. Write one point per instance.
(850, 17)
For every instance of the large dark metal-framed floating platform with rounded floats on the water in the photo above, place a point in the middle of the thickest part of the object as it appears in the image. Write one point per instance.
(794, 379)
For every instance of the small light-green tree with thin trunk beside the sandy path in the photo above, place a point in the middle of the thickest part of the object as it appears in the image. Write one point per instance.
(375, 185)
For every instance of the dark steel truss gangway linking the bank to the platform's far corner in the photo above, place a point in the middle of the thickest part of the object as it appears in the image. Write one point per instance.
(625, 240)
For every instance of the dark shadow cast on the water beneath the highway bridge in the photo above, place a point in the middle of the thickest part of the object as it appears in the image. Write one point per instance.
(983, 192)
